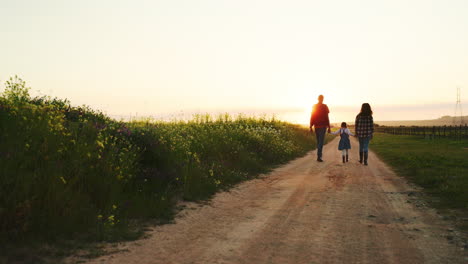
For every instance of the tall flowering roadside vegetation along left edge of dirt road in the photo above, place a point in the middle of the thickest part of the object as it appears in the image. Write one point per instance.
(71, 172)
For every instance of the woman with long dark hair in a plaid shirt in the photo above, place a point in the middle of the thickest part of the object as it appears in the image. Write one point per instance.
(364, 131)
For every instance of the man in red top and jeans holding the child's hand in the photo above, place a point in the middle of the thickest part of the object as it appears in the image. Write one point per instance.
(319, 119)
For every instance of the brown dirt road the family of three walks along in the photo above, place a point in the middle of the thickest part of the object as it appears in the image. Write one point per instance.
(305, 212)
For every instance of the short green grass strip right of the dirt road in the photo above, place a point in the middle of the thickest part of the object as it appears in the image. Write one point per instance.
(440, 166)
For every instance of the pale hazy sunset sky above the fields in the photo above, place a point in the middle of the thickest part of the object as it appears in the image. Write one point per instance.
(164, 58)
